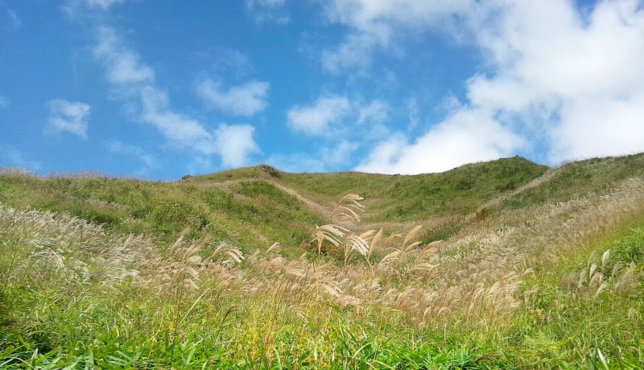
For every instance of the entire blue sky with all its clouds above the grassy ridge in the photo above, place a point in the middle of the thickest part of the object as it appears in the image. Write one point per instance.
(158, 89)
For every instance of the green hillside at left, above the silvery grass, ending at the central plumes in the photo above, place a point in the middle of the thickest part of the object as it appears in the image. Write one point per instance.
(249, 215)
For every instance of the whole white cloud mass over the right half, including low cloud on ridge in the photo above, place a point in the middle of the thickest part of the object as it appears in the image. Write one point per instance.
(570, 80)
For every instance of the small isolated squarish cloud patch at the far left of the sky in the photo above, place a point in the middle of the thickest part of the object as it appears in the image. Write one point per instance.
(68, 116)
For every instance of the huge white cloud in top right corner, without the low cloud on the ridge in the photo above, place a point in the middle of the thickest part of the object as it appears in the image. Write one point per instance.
(585, 72)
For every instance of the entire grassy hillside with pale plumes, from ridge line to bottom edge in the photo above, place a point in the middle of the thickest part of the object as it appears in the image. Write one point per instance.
(496, 265)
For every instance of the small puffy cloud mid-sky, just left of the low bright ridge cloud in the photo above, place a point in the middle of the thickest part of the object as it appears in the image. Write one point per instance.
(316, 119)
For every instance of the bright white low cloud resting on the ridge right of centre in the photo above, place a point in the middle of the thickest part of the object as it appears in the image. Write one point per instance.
(467, 136)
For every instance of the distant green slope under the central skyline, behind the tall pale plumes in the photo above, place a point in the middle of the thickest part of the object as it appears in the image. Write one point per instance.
(406, 198)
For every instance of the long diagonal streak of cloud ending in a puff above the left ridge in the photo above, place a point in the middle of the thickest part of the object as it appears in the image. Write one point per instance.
(135, 83)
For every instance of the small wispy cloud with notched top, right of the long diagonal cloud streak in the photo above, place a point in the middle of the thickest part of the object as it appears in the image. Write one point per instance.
(242, 100)
